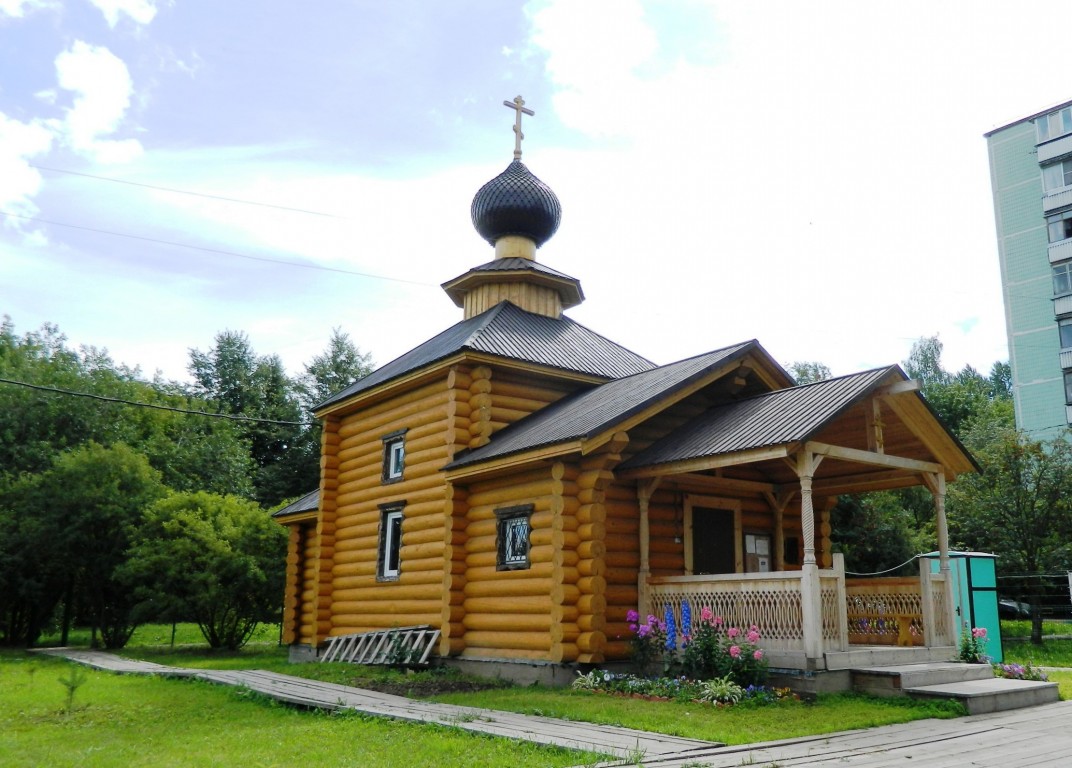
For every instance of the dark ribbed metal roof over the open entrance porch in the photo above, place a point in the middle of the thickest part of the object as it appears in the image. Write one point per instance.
(773, 419)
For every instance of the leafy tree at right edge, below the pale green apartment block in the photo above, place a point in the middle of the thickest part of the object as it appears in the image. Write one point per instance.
(1020, 507)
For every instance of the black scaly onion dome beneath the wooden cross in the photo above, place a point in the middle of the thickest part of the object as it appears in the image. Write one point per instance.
(516, 203)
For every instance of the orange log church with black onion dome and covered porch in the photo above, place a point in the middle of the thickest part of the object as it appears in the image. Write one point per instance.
(520, 483)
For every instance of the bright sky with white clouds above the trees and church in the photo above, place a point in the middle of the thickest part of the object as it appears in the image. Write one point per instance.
(813, 175)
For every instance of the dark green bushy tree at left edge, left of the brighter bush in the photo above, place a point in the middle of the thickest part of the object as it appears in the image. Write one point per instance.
(67, 533)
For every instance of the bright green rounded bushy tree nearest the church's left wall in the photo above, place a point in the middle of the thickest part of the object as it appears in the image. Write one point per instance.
(217, 560)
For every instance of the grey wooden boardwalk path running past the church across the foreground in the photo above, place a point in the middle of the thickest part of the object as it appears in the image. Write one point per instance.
(1037, 736)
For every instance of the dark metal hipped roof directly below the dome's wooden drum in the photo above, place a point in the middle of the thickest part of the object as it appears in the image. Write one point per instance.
(508, 332)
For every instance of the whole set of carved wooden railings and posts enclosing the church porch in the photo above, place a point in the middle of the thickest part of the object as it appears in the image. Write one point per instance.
(817, 619)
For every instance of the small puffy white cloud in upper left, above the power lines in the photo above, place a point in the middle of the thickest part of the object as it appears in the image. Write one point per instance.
(103, 86)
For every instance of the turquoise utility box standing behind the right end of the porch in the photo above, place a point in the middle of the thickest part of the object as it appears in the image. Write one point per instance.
(975, 596)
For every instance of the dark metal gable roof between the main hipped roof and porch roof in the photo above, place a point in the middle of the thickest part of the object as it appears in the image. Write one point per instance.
(594, 411)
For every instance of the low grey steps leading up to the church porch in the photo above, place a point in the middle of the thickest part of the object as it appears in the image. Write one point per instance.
(973, 685)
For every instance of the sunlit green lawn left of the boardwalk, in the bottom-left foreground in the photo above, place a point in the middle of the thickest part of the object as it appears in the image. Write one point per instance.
(144, 721)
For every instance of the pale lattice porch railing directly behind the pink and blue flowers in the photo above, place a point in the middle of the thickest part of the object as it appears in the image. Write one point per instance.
(770, 601)
